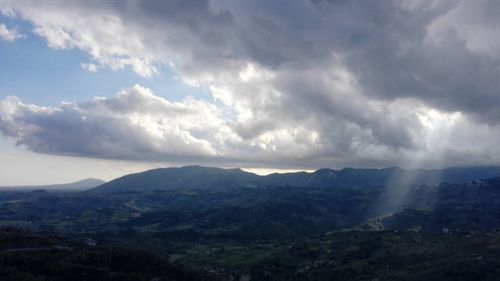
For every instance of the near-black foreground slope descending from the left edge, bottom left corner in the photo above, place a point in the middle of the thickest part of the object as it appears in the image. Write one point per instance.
(29, 256)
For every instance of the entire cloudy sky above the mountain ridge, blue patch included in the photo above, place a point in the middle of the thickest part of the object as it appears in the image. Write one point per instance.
(105, 88)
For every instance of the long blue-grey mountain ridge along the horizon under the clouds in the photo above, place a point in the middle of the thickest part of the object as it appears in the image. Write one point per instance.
(197, 177)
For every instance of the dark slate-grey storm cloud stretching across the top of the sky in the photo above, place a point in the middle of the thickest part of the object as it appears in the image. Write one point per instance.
(384, 43)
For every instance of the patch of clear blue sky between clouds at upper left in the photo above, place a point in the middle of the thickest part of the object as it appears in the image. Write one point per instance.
(37, 74)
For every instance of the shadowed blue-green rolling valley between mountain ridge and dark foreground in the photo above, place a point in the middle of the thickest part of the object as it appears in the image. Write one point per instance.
(259, 213)
